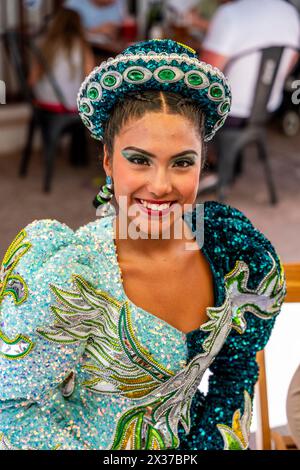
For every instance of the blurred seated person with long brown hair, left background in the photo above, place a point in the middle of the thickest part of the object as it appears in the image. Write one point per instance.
(68, 59)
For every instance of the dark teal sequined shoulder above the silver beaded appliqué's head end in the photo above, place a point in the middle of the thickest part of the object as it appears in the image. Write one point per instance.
(230, 237)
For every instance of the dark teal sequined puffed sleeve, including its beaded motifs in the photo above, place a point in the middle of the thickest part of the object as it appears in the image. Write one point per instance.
(254, 283)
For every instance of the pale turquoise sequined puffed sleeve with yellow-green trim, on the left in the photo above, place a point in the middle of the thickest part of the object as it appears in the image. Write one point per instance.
(41, 260)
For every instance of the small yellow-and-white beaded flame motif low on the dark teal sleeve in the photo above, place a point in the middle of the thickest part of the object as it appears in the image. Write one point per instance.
(237, 437)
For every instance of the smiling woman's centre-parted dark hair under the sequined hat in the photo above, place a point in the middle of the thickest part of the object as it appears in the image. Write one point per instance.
(136, 105)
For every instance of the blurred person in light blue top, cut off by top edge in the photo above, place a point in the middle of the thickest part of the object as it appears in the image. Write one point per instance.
(100, 16)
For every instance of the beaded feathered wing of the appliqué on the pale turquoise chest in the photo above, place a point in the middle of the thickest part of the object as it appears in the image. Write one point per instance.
(92, 316)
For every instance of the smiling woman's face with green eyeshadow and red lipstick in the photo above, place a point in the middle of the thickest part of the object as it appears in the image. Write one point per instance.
(155, 166)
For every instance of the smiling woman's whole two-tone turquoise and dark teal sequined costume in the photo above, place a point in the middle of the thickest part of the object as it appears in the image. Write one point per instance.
(81, 367)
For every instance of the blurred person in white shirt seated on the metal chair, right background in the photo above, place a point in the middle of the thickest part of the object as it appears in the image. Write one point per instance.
(244, 25)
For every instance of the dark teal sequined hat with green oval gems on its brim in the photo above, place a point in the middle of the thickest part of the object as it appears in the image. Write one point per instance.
(163, 65)
